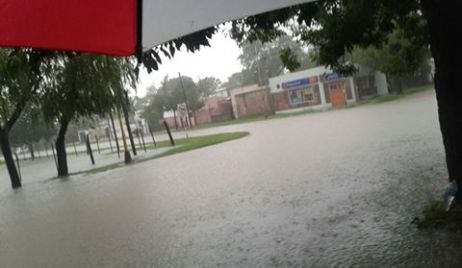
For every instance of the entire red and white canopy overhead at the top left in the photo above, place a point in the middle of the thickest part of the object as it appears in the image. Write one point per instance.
(113, 26)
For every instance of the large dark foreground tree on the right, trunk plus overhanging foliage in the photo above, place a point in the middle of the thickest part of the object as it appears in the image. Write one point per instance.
(336, 27)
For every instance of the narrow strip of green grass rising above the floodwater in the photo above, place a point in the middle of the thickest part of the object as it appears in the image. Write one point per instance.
(181, 145)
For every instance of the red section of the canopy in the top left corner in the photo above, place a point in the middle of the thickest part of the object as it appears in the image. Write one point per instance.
(100, 26)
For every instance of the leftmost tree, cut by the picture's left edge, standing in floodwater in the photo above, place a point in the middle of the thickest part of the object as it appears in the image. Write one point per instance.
(20, 81)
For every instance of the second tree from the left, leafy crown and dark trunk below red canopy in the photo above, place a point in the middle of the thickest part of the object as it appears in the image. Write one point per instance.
(83, 85)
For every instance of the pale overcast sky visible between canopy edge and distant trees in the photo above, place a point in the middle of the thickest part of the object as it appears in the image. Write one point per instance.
(219, 60)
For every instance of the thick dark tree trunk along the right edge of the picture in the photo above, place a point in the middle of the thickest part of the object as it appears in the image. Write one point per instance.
(444, 22)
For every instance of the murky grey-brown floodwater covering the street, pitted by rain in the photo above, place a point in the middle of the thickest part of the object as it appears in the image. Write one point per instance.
(333, 189)
